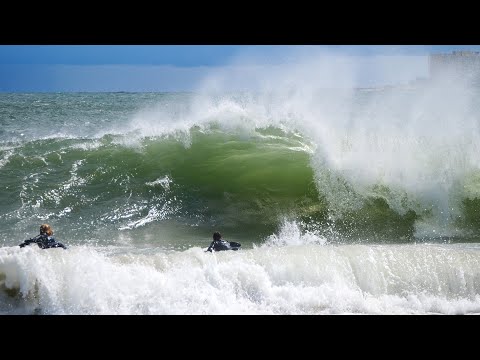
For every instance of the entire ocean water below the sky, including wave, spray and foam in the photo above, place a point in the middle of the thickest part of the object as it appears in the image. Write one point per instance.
(345, 201)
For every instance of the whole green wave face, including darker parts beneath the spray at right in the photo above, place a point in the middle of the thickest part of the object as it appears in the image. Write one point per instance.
(245, 184)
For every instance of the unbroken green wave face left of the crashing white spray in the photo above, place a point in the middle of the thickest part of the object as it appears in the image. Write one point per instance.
(242, 184)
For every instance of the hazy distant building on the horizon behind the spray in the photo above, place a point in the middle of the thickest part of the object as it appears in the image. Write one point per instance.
(457, 65)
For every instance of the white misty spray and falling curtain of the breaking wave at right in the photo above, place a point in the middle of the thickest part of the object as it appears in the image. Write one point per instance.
(409, 149)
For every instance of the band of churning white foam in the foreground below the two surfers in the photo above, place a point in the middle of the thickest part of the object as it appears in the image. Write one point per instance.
(289, 279)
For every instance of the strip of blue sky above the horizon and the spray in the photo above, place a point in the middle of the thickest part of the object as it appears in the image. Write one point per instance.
(32, 68)
